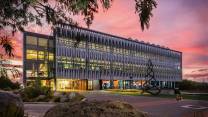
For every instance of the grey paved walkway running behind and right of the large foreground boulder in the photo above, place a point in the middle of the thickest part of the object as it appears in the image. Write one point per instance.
(156, 107)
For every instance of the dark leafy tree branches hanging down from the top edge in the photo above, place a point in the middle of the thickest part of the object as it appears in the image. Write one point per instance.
(16, 14)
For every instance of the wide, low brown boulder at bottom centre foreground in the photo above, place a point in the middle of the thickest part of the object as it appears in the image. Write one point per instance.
(94, 109)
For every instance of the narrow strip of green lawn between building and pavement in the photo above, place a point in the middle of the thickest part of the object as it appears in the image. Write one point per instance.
(136, 92)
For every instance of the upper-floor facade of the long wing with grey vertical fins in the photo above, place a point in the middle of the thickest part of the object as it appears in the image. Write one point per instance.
(86, 54)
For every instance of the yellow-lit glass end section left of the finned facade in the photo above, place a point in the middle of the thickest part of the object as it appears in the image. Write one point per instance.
(39, 57)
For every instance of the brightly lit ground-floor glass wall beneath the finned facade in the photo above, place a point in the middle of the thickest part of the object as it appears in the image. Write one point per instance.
(84, 84)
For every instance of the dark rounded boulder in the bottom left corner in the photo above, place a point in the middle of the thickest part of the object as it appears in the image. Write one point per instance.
(11, 105)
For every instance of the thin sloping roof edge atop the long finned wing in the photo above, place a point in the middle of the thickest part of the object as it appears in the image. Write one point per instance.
(64, 24)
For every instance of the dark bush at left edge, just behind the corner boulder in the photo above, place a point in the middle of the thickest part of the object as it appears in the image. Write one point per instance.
(7, 84)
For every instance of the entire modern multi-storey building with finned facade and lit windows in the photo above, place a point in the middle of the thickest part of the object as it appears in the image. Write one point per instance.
(76, 58)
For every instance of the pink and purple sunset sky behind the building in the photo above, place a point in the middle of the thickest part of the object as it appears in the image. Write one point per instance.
(178, 24)
